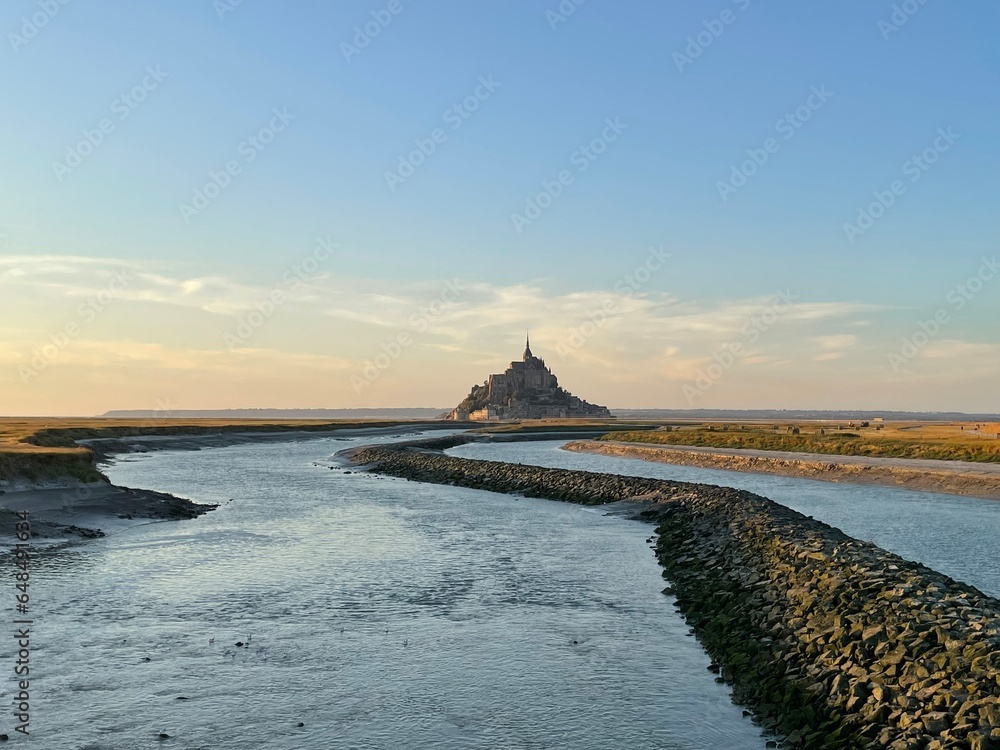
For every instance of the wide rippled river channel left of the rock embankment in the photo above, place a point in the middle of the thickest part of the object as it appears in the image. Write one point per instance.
(379, 613)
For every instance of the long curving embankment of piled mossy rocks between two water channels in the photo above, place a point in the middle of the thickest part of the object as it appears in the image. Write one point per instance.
(834, 642)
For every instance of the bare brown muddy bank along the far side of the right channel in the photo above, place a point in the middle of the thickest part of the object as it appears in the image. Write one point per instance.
(948, 477)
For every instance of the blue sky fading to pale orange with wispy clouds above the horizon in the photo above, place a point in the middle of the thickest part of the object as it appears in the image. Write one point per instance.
(726, 204)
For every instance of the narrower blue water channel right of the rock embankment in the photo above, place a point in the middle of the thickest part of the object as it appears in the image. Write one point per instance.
(956, 535)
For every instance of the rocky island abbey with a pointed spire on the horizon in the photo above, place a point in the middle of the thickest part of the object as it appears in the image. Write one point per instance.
(527, 390)
